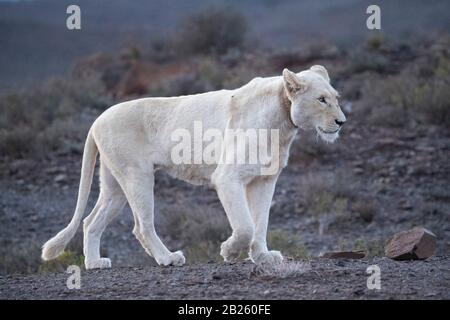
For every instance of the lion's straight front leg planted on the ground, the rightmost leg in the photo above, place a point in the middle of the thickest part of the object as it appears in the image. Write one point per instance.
(259, 194)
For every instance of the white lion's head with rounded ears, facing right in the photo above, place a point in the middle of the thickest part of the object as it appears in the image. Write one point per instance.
(314, 102)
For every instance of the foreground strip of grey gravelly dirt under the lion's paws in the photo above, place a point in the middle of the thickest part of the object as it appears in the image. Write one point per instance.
(343, 279)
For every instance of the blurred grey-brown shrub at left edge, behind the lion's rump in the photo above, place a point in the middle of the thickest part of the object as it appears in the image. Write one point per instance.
(47, 118)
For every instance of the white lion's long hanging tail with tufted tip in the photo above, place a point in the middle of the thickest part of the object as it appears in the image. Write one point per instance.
(55, 246)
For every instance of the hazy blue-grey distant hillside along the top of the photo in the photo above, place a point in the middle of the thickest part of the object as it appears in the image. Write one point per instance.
(35, 43)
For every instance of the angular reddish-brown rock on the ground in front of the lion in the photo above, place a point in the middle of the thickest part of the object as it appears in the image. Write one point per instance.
(415, 244)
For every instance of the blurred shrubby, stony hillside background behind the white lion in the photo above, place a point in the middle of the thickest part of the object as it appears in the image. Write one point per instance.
(388, 171)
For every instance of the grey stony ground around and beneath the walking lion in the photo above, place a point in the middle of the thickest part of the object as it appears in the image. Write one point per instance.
(401, 177)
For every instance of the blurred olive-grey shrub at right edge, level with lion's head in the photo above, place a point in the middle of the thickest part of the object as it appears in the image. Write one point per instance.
(418, 94)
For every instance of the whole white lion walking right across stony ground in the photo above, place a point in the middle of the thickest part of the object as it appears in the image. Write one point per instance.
(133, 141)
